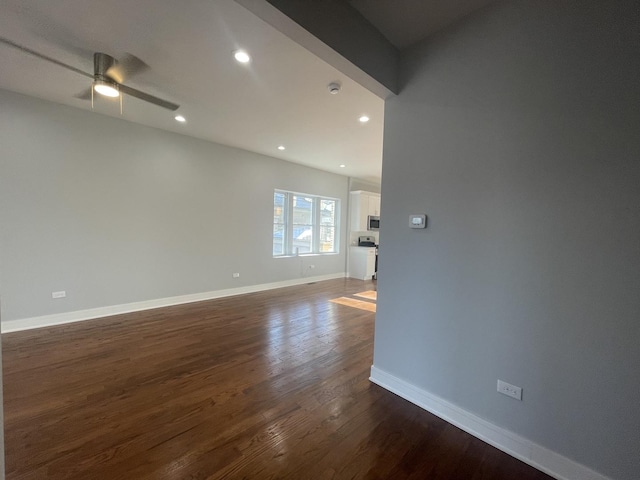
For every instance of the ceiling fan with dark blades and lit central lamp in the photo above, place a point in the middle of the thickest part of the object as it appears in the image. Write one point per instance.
(108, 75)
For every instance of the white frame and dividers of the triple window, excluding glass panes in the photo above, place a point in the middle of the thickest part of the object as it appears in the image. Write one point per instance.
(288, 249)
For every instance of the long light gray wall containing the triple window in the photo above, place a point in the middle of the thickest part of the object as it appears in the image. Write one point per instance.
(113, 212)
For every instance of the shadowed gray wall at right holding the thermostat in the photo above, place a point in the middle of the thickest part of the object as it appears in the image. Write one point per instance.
(518, 133)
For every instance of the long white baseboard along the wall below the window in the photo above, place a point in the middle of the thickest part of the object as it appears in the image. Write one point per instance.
(89, 314)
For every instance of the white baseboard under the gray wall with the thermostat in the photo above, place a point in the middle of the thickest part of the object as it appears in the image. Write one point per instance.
(525, 450)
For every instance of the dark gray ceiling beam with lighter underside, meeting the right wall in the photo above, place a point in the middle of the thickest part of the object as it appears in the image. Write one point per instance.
(344, 40)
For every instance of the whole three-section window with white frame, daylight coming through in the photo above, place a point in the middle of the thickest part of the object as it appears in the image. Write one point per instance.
(304, 224)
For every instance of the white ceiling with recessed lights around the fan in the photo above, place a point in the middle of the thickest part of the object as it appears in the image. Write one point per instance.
(281, 97)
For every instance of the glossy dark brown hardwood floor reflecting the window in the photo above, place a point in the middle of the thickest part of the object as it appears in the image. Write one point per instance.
(266, 385)
